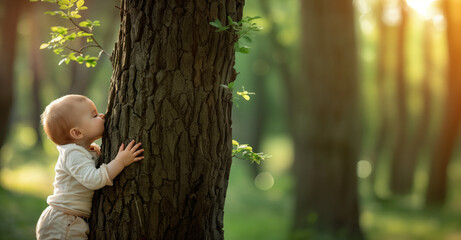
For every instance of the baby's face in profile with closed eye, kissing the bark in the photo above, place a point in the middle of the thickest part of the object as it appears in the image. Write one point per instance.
(91, 123)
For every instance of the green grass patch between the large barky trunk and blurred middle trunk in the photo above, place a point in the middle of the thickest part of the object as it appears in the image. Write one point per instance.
(251, 213)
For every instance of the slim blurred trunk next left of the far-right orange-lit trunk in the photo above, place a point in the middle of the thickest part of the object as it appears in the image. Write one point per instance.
(400, 162)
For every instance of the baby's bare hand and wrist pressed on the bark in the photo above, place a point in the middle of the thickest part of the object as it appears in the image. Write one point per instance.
(124, 158)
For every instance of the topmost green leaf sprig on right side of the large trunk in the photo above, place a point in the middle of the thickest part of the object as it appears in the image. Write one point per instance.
(242, 29)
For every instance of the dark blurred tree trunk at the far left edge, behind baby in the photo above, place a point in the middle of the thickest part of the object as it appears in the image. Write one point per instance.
(11, 12)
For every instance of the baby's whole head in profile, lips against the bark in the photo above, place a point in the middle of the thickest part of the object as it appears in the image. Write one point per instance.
(72, 119)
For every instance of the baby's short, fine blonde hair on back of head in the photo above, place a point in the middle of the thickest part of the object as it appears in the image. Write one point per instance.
(58, 118)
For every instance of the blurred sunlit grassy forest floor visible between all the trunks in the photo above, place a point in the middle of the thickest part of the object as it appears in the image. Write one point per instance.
(253, 213)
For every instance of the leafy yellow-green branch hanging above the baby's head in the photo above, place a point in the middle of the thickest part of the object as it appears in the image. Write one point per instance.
(61, 37)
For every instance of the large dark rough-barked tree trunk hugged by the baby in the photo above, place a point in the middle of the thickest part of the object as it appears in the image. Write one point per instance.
(165, 91)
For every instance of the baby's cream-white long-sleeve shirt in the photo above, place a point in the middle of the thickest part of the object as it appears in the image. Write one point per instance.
(76, 179)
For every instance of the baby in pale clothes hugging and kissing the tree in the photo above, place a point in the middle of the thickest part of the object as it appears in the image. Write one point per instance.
(73, 123)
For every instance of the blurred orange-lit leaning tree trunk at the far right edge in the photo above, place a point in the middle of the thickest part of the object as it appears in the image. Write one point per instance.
(448, 135)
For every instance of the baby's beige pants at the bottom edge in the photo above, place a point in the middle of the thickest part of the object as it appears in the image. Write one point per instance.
(54, 224)
